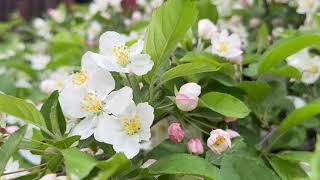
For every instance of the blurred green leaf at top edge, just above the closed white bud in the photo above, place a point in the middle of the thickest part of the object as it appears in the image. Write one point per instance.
(207, 10)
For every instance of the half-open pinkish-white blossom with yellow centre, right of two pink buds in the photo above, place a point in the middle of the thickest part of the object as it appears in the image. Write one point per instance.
(219, 141)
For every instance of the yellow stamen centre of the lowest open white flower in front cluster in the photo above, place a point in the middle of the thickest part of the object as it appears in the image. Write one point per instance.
(131, 125)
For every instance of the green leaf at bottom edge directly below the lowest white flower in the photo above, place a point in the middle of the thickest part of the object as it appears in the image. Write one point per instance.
(113, 166)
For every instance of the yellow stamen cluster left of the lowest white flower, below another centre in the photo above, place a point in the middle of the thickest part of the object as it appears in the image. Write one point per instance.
(92, 103)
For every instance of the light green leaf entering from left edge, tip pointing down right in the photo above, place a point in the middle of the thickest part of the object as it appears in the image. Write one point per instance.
(23, 110)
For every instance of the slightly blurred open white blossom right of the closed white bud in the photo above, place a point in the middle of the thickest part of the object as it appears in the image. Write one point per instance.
(226, 46)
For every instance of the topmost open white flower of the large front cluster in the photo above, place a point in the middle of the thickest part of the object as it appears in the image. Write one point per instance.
(115, 55)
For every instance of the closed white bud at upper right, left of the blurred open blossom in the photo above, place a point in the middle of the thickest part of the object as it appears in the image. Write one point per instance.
(206, 29)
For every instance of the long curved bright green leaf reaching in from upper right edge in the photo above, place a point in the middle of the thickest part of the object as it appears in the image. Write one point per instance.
(286, 47)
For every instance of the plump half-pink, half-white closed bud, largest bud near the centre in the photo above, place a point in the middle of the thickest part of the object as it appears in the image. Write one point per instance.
(187, 97)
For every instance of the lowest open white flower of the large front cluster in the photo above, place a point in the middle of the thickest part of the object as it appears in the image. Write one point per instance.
(127, 128)
